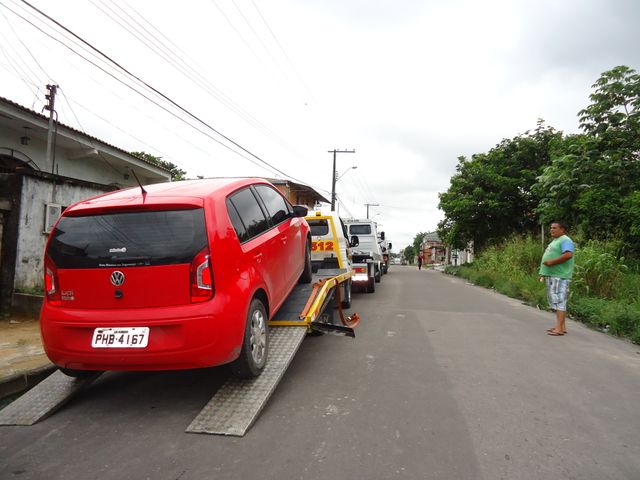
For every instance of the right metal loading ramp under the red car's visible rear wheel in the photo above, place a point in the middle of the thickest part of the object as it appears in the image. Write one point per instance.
(237, 404)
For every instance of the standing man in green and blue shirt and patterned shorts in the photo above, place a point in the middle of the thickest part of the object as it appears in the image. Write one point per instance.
(557, 269)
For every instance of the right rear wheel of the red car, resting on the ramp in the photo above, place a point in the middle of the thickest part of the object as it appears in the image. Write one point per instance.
(255, 345)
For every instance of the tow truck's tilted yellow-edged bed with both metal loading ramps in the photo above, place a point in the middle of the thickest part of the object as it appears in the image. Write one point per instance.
(310, 308)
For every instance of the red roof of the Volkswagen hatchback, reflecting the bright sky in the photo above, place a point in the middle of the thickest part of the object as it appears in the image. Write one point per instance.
(181, 192)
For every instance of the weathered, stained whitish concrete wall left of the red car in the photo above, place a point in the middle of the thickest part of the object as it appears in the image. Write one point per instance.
(36, 193)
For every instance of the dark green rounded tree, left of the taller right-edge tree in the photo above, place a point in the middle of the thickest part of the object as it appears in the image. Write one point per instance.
(490, 197)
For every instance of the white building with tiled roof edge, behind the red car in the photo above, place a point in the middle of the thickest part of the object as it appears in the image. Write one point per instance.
(34, 190)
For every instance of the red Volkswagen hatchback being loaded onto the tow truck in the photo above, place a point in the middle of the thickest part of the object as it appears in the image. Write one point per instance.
(182, 275)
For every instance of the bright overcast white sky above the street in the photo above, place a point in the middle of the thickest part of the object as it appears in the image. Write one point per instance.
(410, 85)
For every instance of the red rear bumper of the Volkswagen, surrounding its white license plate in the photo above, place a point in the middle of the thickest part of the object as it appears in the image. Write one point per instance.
(191, 336)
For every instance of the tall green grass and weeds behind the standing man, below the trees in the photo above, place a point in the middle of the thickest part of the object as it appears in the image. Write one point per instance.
(605, 291)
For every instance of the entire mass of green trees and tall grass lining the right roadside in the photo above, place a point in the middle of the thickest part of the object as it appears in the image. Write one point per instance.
(500, 200)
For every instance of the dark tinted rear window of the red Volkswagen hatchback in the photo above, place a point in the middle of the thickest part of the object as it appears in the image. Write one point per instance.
(157, 237)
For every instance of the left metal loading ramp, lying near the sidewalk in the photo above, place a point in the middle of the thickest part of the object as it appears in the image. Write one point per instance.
(43, 399)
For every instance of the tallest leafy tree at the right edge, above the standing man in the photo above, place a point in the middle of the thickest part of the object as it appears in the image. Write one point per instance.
(593, 181)
